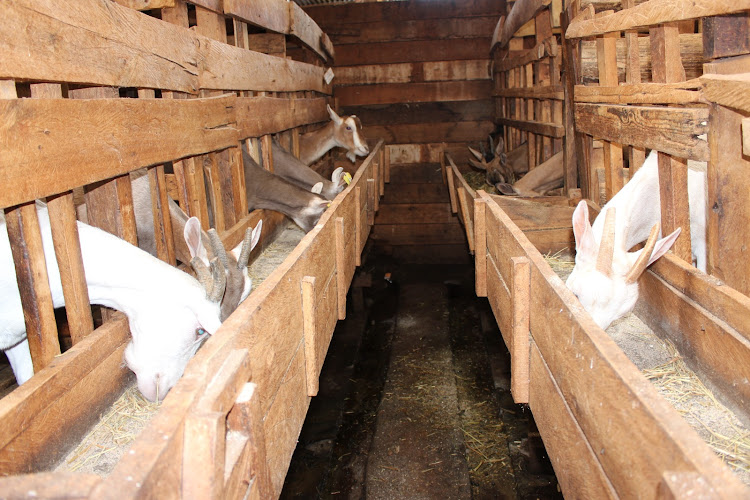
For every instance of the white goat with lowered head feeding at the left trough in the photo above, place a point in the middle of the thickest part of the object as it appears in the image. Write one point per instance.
(168, 310)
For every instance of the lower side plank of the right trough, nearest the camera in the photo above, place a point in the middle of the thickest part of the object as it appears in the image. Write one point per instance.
(575, 463)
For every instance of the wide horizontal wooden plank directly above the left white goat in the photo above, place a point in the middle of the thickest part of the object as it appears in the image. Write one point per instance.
(91, 140)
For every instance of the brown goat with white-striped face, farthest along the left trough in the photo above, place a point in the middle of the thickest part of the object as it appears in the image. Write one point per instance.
(339, 132)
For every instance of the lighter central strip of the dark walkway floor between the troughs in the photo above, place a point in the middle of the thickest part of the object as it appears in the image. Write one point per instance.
(418, 451)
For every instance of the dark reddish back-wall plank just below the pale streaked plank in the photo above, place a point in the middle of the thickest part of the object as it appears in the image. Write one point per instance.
(391, 93)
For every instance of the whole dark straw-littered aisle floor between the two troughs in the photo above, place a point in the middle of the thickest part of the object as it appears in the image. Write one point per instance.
(414, 399)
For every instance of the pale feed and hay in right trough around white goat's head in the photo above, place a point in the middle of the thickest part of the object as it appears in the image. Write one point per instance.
(663, 366)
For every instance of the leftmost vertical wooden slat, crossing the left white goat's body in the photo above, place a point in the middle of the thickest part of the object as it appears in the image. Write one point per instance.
(33, 283)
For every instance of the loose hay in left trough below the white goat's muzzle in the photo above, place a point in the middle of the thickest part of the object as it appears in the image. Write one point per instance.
(109, 439)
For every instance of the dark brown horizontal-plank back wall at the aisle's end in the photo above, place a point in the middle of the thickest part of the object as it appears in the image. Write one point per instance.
(417, 73)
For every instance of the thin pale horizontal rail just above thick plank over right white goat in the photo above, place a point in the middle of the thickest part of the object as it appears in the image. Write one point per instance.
(643, 93)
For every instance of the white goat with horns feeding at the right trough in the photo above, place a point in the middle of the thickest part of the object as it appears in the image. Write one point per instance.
(605, 276)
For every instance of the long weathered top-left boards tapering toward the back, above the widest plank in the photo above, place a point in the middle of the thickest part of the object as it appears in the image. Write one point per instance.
(97, 48)
